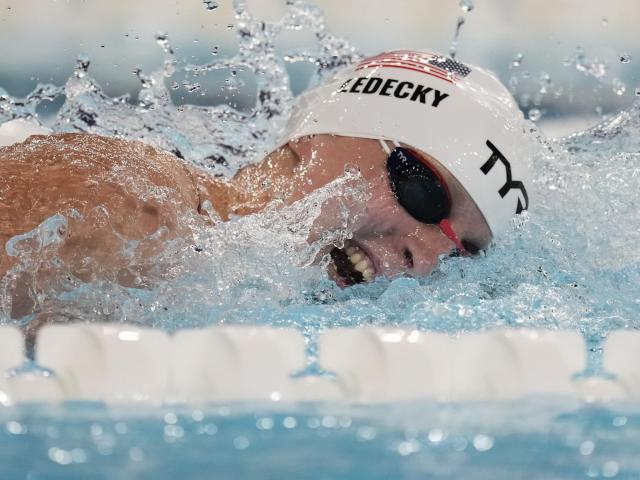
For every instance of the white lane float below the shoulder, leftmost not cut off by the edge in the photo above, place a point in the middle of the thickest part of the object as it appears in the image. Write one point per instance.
(113, 363)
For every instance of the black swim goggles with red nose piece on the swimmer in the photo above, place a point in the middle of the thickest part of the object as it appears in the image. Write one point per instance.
(420, 189)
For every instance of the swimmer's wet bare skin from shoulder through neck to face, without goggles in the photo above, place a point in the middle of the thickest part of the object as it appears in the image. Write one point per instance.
(145, 190)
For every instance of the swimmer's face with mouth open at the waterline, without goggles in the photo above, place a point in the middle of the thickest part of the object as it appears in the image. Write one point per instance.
(386, 239)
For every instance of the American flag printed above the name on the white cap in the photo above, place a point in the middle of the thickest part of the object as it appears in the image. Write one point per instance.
(432, 64)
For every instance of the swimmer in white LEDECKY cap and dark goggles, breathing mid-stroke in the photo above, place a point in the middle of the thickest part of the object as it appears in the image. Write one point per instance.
(436, 140)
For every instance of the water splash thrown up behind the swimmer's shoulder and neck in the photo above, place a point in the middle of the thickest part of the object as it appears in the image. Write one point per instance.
(219, 138)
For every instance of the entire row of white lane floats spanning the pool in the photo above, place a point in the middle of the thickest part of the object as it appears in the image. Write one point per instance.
(116, 363)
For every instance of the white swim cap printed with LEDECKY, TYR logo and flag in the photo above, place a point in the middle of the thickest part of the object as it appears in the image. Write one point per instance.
(459, 114)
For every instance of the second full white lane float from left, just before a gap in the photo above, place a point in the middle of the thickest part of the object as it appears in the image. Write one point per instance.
(232, 363)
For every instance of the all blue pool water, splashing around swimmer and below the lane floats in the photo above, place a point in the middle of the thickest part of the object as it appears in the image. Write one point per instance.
(567, 264)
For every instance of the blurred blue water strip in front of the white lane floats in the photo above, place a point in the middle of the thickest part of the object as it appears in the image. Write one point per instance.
(528, 440)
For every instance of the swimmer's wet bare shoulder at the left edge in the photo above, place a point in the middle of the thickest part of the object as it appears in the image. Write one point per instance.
(142, 188)
